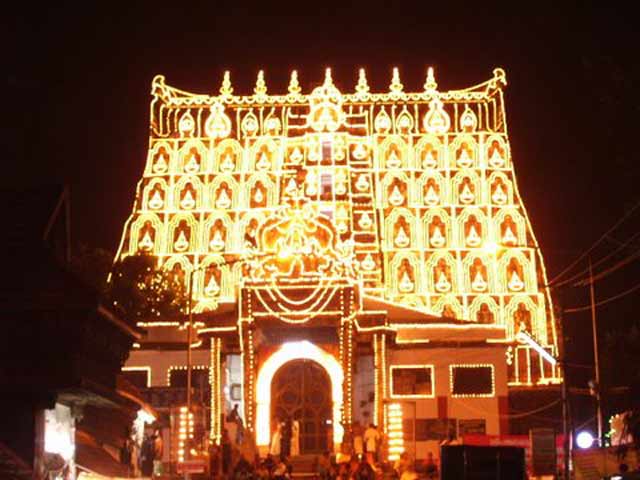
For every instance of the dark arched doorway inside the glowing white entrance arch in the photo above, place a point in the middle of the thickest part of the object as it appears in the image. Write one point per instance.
(301, 389)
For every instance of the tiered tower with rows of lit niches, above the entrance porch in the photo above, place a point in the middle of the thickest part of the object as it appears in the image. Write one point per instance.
(419, 185)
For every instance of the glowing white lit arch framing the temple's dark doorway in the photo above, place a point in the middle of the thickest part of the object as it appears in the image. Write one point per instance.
(296, 351)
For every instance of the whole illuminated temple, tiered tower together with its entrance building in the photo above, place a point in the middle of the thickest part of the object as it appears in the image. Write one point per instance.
(356, 257)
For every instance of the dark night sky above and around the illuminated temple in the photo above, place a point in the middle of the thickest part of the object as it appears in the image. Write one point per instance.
(77, 80)
